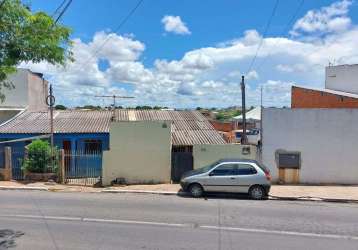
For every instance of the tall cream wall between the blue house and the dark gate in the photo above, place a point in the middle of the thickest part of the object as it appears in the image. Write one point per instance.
(140, 152)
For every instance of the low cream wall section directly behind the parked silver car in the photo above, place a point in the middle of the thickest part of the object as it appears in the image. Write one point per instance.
(206, 154)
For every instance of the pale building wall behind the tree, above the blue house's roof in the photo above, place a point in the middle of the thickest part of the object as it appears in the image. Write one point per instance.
(30, 91)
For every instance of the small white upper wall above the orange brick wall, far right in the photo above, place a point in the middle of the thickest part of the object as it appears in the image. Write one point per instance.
(342, 78)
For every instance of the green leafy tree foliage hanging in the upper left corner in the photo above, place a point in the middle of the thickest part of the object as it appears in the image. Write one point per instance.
(29, 37)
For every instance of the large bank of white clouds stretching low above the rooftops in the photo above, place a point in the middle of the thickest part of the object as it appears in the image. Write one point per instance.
(206, 77)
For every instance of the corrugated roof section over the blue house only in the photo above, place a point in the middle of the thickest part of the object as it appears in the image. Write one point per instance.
(64, 122)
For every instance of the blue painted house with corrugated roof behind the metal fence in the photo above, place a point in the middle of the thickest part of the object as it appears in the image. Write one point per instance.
(79, 133)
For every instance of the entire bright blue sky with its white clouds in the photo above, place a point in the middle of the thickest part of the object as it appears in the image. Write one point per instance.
(192, 53)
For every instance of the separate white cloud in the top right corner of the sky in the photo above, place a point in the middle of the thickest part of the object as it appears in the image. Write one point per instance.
(332, 18)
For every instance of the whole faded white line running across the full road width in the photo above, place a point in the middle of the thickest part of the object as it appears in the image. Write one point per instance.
(133, 222)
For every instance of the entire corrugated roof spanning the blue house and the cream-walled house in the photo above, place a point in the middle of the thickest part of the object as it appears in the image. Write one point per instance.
(189, 127)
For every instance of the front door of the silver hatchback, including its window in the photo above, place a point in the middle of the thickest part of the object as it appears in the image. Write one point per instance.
(222, 178)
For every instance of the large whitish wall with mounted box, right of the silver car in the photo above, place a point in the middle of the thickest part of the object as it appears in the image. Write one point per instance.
(326, 138)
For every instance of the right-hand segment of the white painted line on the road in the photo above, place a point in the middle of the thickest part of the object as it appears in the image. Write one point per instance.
(279, 232)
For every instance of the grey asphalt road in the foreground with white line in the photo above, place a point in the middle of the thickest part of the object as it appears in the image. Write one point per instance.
(46, 220)
